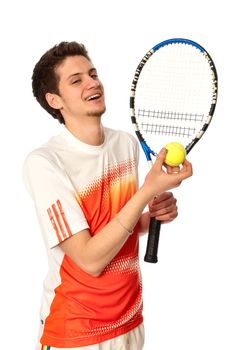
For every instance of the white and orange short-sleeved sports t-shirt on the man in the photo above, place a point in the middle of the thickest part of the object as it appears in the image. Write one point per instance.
(77, 186)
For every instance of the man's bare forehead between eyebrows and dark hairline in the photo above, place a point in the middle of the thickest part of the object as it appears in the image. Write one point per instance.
(73, 65)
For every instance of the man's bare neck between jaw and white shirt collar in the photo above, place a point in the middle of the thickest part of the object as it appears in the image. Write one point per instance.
(89, 130)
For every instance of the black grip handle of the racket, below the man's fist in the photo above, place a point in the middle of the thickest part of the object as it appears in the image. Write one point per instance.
(153, 241)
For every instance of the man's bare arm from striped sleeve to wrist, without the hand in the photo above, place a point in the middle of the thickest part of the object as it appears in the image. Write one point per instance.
(93, 254)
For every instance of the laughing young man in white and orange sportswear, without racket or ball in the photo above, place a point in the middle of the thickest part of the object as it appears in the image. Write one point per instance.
(84, 185)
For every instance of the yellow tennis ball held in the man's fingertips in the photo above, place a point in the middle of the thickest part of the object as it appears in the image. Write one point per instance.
(175, 154)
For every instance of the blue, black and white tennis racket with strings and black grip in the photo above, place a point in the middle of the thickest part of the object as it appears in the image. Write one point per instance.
(173, 98)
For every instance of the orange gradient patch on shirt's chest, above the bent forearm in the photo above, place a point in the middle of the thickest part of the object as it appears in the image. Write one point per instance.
(103, 198)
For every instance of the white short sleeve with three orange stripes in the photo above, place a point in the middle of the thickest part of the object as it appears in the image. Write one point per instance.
(58, 210)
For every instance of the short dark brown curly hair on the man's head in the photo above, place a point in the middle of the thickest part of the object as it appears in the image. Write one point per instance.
(45, 79)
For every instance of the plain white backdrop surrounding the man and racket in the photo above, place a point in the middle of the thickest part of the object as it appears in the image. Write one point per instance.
(187, 295)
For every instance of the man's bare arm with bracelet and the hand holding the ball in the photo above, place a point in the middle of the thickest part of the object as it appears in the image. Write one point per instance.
(93, 254)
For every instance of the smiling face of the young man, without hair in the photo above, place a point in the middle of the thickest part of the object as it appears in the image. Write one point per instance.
(81, 92)
